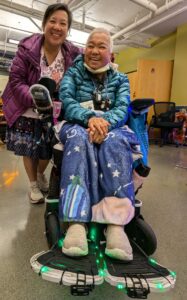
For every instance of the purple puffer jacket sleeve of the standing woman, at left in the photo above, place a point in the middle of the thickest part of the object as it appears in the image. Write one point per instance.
(18, 79)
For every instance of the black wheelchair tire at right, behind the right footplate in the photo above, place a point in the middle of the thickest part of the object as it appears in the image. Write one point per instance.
(142, 233)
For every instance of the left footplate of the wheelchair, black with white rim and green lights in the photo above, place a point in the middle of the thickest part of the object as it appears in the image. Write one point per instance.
(80, 273)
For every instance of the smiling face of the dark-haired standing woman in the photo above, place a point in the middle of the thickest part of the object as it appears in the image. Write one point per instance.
(56, 28)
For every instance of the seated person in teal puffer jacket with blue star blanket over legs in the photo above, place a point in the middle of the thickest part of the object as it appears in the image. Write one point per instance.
(97, 166)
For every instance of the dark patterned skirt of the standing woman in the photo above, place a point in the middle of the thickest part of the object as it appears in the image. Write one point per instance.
(30, 137)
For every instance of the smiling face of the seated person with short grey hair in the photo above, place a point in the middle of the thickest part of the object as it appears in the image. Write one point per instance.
(97, 51)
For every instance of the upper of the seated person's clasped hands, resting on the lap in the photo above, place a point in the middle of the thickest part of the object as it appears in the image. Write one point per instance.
(99, 125)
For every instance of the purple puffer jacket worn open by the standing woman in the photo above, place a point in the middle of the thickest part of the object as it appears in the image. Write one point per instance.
(25, 71)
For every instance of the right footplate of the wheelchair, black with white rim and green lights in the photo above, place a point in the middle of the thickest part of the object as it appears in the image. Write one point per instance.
(140, 276)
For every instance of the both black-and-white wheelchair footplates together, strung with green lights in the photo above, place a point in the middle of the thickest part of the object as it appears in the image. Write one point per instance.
(136, 278)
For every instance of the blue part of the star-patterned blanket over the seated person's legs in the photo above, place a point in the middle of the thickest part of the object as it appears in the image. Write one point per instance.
(91, 172)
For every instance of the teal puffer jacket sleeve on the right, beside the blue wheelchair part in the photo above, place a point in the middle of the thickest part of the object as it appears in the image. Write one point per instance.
(118, 115)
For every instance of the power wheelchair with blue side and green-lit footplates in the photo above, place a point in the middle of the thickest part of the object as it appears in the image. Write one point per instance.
(137, 278)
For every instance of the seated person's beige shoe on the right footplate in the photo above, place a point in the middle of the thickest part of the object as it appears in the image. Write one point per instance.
(117, 243)
